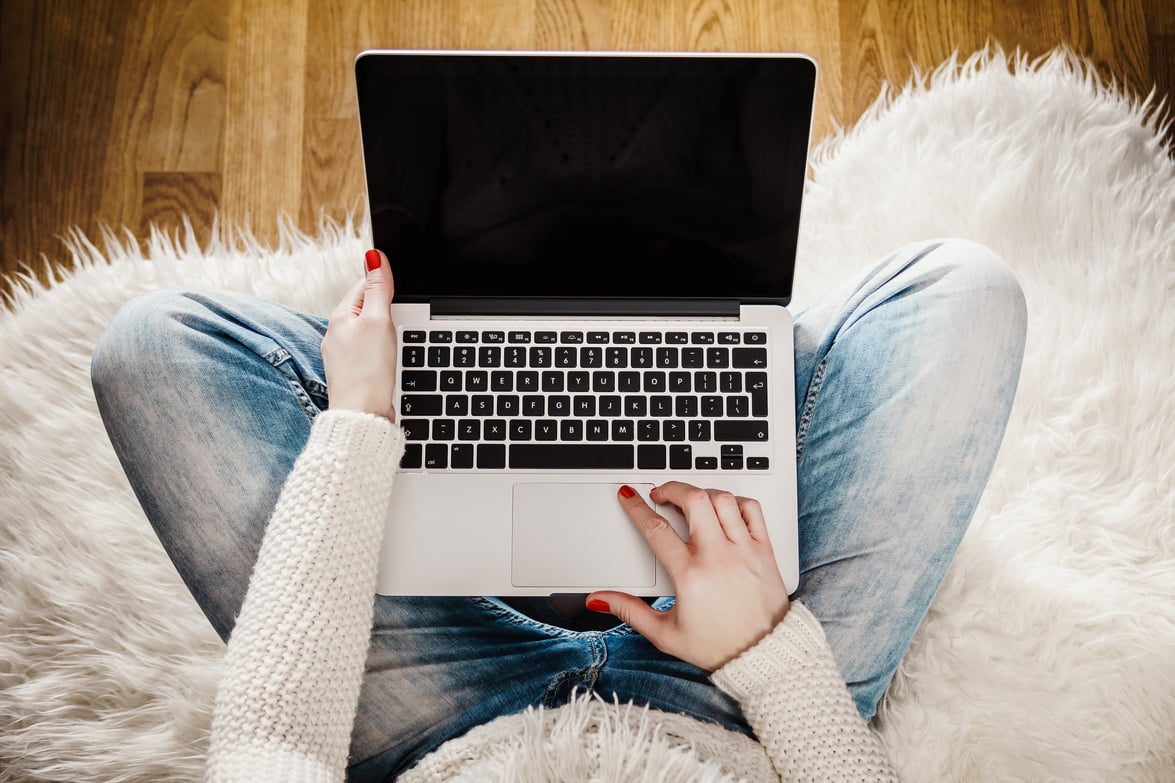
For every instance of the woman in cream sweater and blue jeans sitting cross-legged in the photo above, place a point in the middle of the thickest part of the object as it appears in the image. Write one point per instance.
(259, 447)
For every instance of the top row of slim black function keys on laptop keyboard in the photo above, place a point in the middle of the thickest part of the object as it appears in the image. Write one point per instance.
(590, 338)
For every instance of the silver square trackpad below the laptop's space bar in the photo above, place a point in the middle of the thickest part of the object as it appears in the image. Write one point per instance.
(578, 537)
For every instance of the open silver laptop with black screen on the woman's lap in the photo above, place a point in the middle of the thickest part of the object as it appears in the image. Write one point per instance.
(594, 255)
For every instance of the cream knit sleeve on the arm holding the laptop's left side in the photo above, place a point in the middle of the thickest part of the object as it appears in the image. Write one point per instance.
(296, 661)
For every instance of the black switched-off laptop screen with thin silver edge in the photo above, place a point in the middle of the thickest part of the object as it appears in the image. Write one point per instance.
(567, 176)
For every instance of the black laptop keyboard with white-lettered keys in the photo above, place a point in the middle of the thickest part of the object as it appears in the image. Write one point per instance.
(576, 400)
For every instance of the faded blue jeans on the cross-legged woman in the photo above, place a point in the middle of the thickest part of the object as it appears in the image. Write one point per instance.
(904, 386)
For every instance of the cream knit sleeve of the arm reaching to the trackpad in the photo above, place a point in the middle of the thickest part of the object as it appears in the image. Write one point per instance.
(793, 695)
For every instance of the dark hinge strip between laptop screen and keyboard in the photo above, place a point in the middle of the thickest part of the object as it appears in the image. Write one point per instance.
(569, 307)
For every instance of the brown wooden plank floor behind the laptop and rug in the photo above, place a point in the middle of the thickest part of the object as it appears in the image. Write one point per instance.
(133, 112)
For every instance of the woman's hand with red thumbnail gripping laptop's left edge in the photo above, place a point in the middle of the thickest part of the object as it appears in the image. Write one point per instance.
(359, 353)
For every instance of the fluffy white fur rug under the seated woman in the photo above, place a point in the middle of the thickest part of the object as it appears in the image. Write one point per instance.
(1050, 653)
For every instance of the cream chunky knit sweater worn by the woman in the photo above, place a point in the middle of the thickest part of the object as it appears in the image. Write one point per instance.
(296, 664)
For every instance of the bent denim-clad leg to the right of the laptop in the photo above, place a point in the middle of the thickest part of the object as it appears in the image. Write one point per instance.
(904, 389)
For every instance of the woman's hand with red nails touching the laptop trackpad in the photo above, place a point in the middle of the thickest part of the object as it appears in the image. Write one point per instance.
(730, 593)
